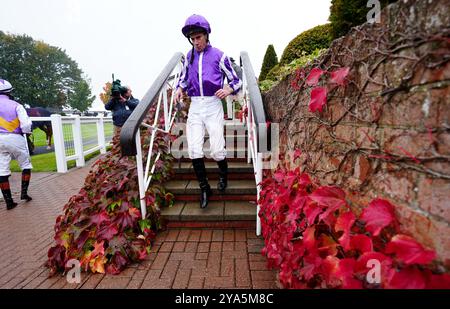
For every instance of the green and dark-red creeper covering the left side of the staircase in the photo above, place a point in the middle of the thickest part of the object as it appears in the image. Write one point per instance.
(101, 226)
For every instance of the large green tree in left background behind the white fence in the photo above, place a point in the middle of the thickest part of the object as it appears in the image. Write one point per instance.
(42, 75)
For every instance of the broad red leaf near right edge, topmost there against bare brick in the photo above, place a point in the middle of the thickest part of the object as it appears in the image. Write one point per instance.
(409, 251)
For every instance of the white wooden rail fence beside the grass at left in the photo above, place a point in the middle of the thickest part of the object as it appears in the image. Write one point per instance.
(68, 138)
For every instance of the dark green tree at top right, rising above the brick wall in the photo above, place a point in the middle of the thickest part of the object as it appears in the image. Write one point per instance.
(345, 14)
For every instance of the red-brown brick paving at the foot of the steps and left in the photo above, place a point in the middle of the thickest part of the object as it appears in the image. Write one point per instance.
(181, 258)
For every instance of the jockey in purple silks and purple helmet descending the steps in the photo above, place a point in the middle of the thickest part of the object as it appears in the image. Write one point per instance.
(202, 78)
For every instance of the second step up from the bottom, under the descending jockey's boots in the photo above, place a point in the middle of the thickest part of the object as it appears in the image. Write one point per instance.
(190, 187)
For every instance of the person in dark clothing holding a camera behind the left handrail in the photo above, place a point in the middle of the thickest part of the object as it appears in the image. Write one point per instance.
(122, 104)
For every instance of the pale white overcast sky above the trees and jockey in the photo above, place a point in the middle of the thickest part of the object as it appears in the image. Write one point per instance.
(135, 38)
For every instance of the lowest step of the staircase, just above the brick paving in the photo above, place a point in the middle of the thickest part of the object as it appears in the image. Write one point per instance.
(216, 211)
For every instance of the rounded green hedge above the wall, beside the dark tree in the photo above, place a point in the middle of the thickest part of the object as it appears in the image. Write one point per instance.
(307, 42)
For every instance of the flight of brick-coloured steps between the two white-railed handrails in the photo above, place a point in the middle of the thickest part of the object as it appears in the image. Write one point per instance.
(235, 208)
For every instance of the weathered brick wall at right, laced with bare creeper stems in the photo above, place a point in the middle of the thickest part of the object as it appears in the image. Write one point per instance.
(387, 133)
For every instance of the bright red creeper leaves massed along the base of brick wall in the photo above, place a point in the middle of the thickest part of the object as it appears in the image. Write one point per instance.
(316, 240)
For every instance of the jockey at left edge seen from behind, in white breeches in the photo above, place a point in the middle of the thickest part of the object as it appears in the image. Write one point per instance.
(14, 122)
